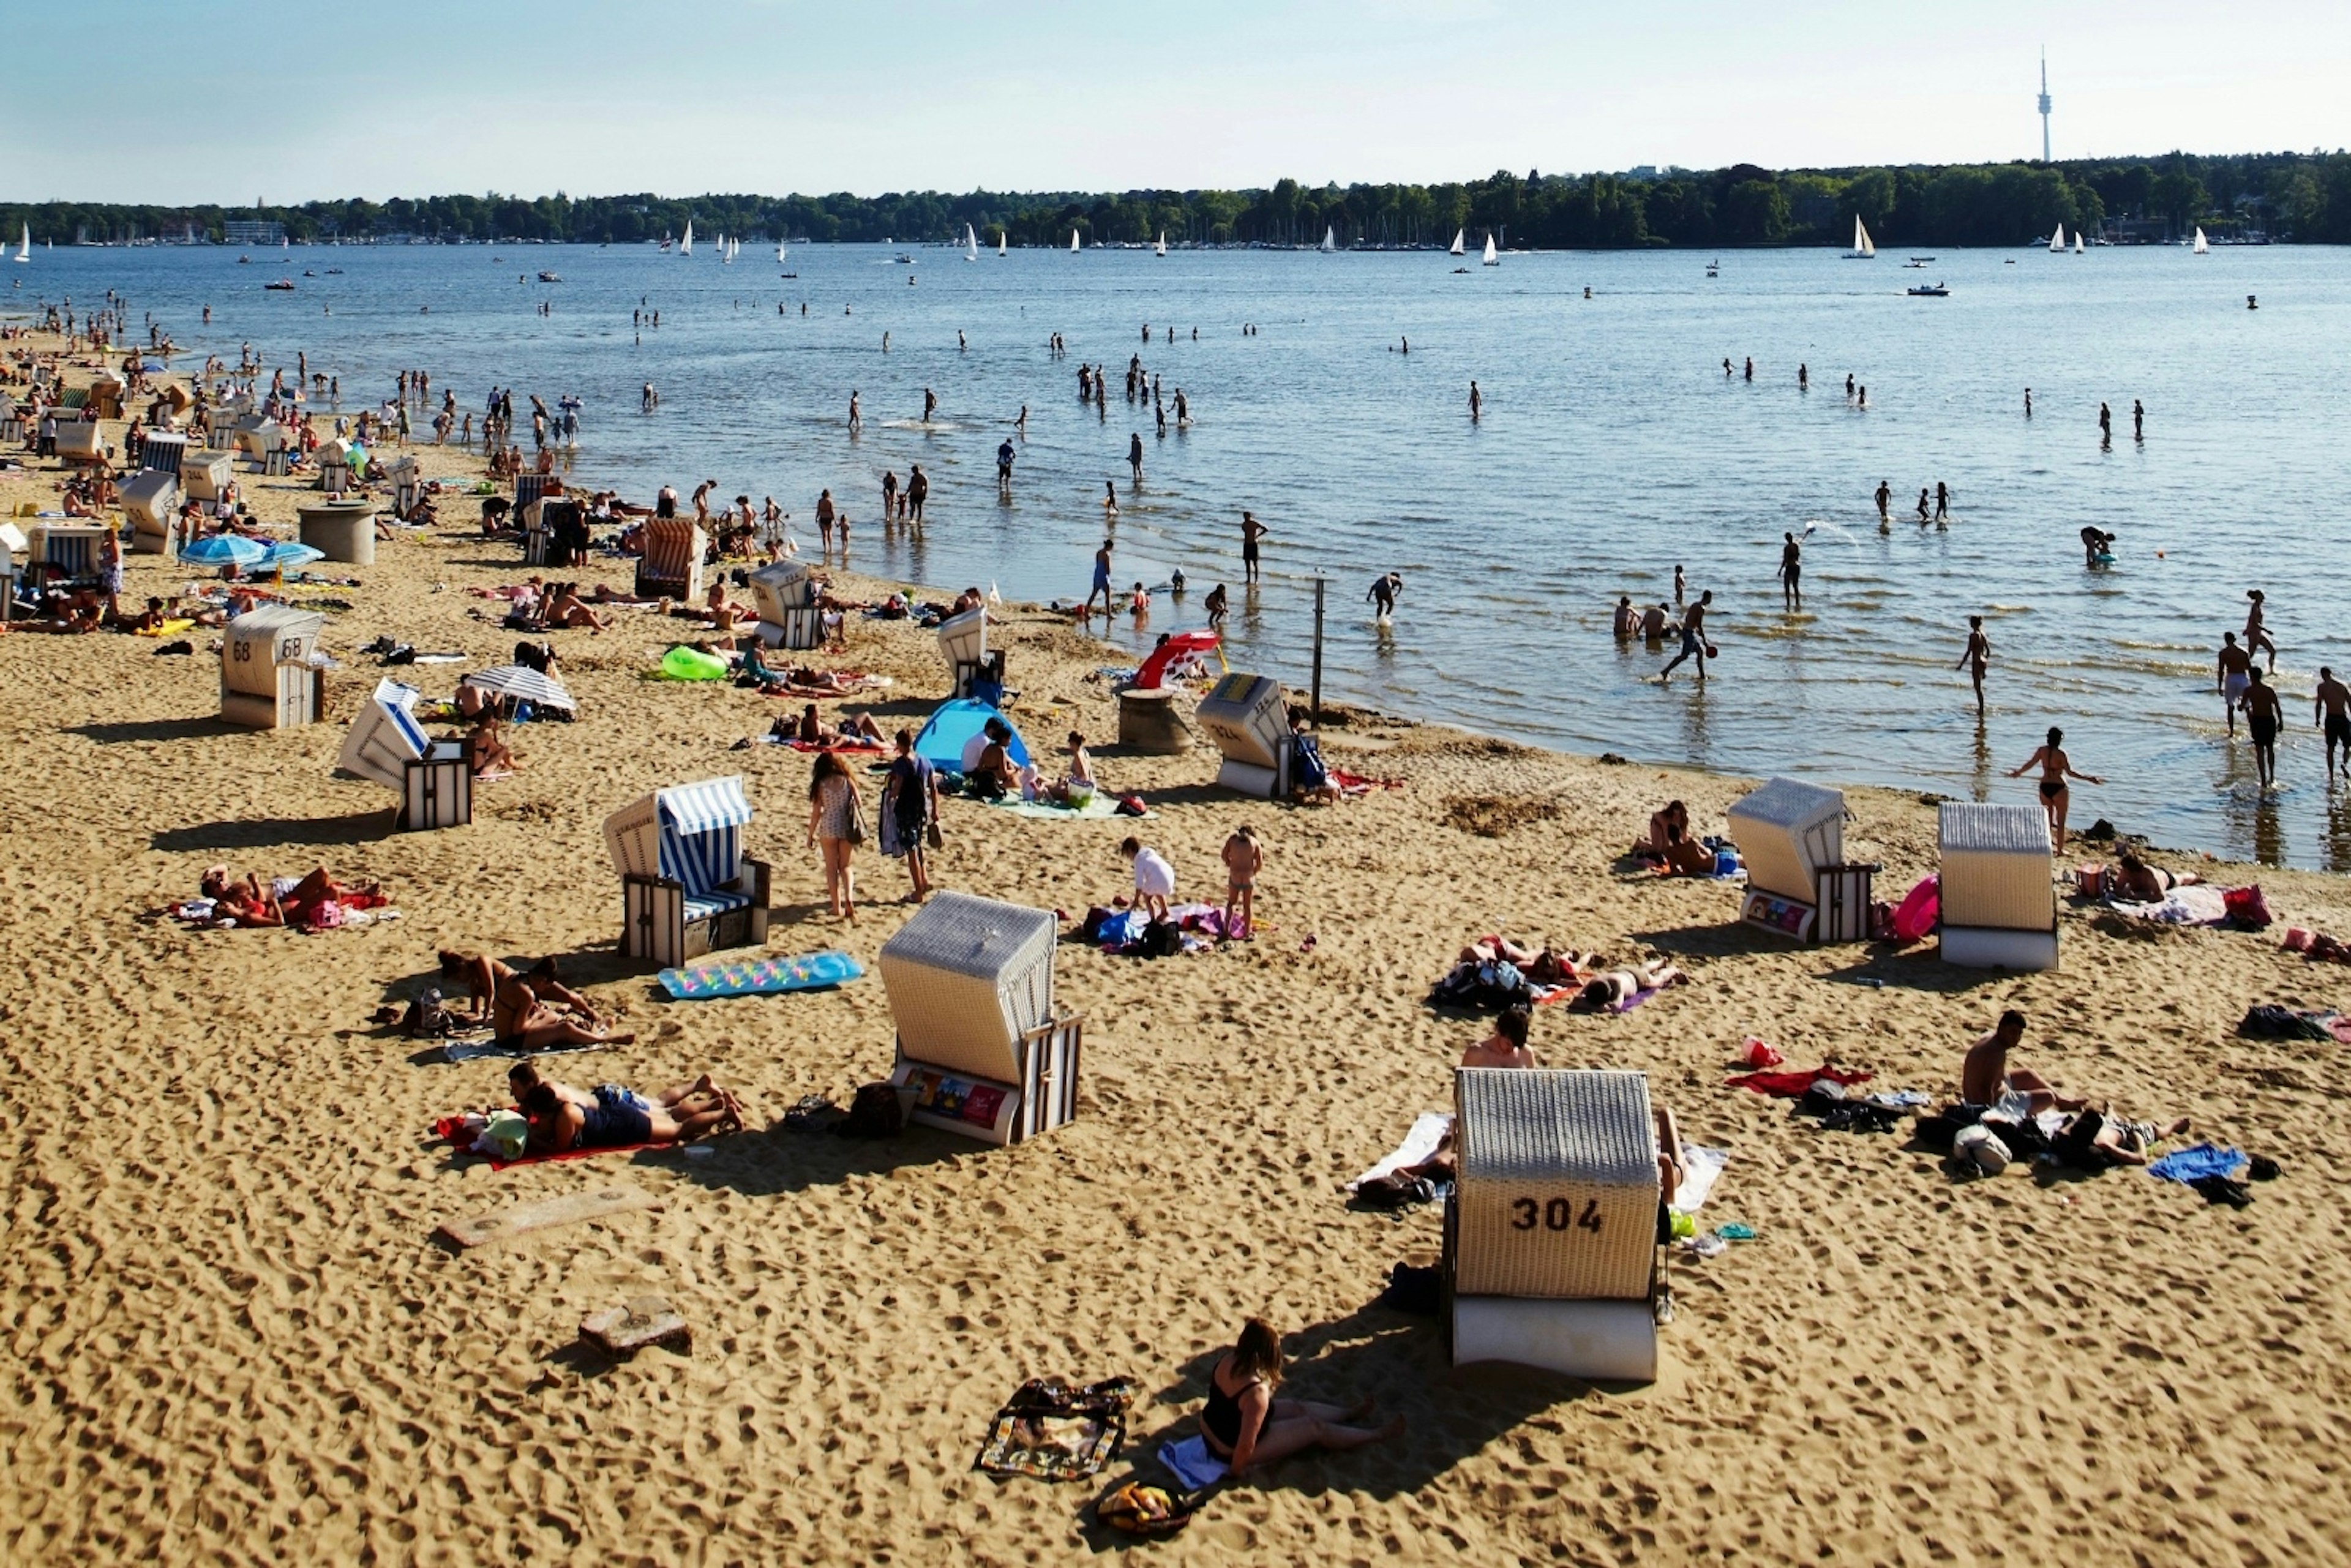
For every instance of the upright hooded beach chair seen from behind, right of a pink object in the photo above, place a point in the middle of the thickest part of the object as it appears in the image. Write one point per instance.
(1997, 887)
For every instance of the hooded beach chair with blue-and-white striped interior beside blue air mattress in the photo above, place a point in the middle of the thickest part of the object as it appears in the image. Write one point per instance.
(685, 883)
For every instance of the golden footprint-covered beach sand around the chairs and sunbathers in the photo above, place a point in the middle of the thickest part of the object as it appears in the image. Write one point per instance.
(234, 1336)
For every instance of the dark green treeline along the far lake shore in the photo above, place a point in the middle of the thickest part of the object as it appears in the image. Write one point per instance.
(2286, 196)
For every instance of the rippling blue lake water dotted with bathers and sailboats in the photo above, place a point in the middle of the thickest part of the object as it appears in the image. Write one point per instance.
(1612, 450)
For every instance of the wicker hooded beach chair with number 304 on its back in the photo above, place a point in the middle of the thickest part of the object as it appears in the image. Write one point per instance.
(1550, 1252)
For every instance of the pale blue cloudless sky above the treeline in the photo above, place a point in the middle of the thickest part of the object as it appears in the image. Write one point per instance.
(293, 100)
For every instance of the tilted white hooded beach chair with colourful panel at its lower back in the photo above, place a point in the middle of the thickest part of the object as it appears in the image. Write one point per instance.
(979, 1047)
